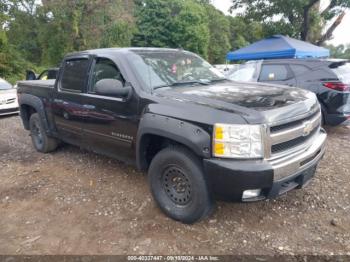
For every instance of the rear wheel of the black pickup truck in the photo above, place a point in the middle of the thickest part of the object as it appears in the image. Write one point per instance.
(41, 141)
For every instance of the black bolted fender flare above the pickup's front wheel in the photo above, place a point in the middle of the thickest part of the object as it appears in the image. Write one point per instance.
(185, 133)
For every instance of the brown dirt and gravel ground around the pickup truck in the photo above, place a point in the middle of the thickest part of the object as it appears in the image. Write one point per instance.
(77, 202)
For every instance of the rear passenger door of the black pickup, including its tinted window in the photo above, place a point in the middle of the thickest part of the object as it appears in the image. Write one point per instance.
(68, 111)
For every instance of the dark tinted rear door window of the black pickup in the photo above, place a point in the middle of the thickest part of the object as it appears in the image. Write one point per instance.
(75, 74)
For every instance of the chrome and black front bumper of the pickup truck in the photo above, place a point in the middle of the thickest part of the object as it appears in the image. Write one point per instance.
(230, 178)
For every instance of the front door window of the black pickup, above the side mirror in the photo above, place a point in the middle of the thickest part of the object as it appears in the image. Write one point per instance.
(105, 69)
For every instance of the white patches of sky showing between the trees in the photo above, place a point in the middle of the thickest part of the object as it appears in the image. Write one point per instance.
(341, 35)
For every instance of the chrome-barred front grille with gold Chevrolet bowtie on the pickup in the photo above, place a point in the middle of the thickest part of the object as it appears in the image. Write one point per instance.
(292, 136)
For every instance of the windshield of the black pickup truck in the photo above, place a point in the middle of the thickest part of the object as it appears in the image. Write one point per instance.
(173, 68)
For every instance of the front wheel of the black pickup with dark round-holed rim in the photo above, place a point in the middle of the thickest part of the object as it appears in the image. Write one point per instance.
(179, 186)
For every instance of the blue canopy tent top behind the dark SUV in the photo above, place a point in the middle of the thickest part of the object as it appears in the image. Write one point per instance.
(278, 46)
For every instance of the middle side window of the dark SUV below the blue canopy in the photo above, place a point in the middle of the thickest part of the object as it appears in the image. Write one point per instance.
(280, 74)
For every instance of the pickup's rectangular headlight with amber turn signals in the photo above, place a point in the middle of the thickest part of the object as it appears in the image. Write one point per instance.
(237, 141)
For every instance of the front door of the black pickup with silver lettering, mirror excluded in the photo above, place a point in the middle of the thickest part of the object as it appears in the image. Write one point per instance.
(110, 125)
